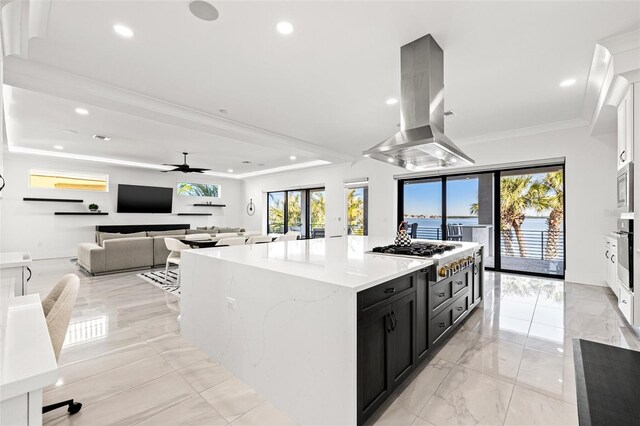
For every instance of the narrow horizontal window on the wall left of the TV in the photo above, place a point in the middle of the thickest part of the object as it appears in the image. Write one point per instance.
(68, 180)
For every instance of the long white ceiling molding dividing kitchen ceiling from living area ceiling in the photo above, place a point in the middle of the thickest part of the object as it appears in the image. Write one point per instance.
(52, 81)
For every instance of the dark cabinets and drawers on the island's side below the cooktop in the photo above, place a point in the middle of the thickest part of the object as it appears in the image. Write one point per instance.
(400, 322)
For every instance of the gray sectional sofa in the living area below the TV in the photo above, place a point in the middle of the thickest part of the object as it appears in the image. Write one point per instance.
(113, 252)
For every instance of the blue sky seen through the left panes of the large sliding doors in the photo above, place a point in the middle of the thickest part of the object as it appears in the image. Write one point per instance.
(425, 198)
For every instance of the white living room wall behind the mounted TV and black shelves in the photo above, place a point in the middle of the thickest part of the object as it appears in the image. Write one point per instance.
(33, 227)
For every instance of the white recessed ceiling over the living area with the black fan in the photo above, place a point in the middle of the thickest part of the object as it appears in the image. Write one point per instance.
(39, 121)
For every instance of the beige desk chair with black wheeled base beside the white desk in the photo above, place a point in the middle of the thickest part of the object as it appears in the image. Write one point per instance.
(58, 307)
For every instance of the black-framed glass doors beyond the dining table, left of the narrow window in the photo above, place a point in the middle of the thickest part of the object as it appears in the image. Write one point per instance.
(300, 210)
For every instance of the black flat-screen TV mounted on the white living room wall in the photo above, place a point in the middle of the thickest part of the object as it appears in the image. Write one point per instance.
(144, 199)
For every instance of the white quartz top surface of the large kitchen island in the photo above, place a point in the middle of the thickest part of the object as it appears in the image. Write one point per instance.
(339, 261)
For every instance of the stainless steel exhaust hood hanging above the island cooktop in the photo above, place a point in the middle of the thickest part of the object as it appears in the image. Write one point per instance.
(421, 143)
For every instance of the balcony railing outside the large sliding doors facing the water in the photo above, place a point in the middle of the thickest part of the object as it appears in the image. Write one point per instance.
(535, 243)
